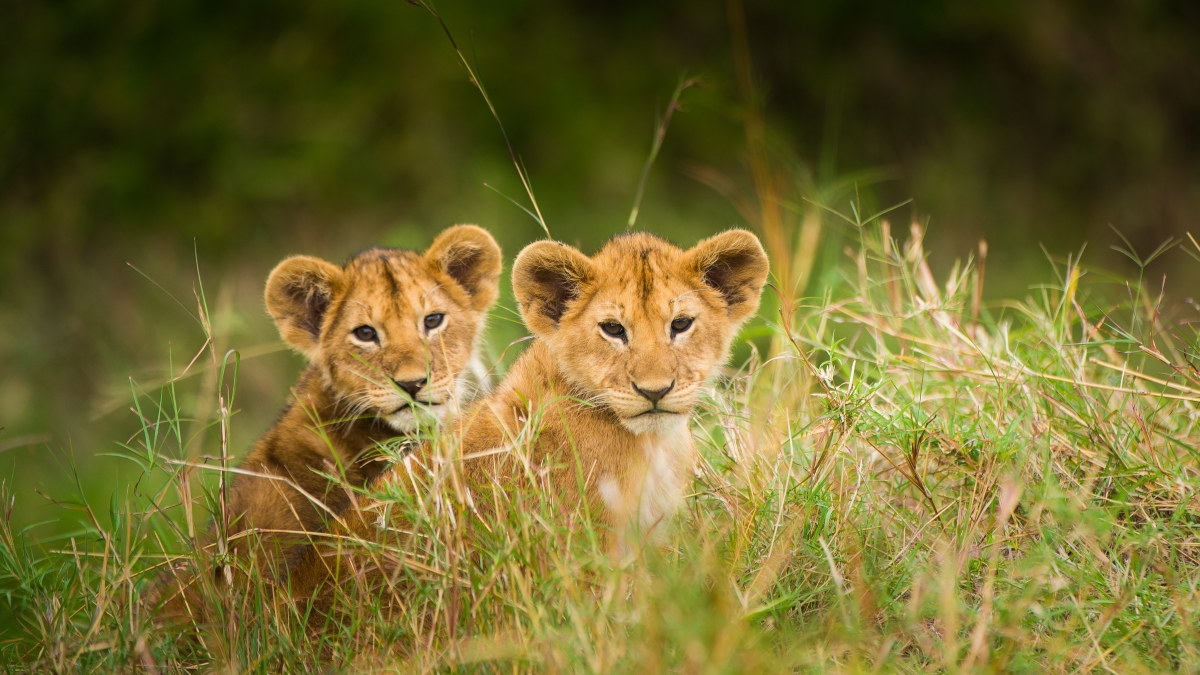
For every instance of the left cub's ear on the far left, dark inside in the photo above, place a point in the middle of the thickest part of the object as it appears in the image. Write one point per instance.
(298, 296)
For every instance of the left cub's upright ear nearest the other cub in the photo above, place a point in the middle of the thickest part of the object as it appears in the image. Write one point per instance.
(471, 256)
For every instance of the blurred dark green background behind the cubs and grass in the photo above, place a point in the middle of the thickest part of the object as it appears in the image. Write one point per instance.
(159, 135)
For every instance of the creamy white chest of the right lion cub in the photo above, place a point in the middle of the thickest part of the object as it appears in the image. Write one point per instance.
(652, 487)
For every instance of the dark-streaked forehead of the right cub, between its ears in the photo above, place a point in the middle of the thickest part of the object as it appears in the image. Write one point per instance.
(645, 272)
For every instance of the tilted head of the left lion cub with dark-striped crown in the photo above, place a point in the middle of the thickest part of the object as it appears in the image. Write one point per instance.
(391, 327)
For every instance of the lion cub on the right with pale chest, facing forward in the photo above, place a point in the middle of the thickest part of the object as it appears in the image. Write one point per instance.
(626, 341)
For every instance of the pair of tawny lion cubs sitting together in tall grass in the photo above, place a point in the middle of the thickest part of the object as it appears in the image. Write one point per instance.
(625, 343)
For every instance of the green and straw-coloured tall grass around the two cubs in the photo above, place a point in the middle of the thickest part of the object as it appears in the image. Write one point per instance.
(901, 480)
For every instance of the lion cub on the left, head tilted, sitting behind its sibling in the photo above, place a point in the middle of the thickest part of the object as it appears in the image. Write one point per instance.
(388, 334)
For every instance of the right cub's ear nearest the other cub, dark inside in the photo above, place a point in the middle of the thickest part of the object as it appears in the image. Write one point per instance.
(547, 277)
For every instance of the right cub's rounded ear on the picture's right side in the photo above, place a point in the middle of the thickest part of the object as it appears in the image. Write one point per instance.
(735, 265)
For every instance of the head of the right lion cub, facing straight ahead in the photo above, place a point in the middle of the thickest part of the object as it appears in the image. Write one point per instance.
(643, 325)
